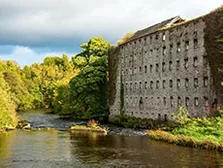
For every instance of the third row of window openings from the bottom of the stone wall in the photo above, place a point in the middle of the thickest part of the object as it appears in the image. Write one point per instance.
(178, 84)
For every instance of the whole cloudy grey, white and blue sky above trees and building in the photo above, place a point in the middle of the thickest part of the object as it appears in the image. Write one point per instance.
(33, 29)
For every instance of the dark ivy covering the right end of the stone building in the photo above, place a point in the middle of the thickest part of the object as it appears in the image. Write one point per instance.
(214, 47)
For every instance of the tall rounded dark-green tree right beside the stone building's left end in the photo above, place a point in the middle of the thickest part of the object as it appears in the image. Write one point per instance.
(88, 90)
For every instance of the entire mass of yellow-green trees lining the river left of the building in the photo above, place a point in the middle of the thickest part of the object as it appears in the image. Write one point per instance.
(75, 87)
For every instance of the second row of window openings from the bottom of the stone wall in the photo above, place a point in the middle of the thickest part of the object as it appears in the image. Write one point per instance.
(179, 101)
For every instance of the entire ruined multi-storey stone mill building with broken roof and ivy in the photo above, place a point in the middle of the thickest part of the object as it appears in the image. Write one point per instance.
(170, 64)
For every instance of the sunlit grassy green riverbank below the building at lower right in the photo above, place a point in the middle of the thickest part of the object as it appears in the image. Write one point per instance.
(204, 133)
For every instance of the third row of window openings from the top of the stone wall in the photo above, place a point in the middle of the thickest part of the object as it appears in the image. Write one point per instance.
(186, 65)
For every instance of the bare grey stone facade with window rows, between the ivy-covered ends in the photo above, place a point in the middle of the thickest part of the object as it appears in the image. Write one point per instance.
(164, 70)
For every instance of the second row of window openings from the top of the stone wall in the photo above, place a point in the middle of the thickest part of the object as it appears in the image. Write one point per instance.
(164, 51)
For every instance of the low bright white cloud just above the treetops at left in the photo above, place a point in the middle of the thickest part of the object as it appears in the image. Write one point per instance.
(26, 56)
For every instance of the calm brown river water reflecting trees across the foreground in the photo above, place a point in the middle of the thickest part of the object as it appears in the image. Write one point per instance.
(57, 148)
